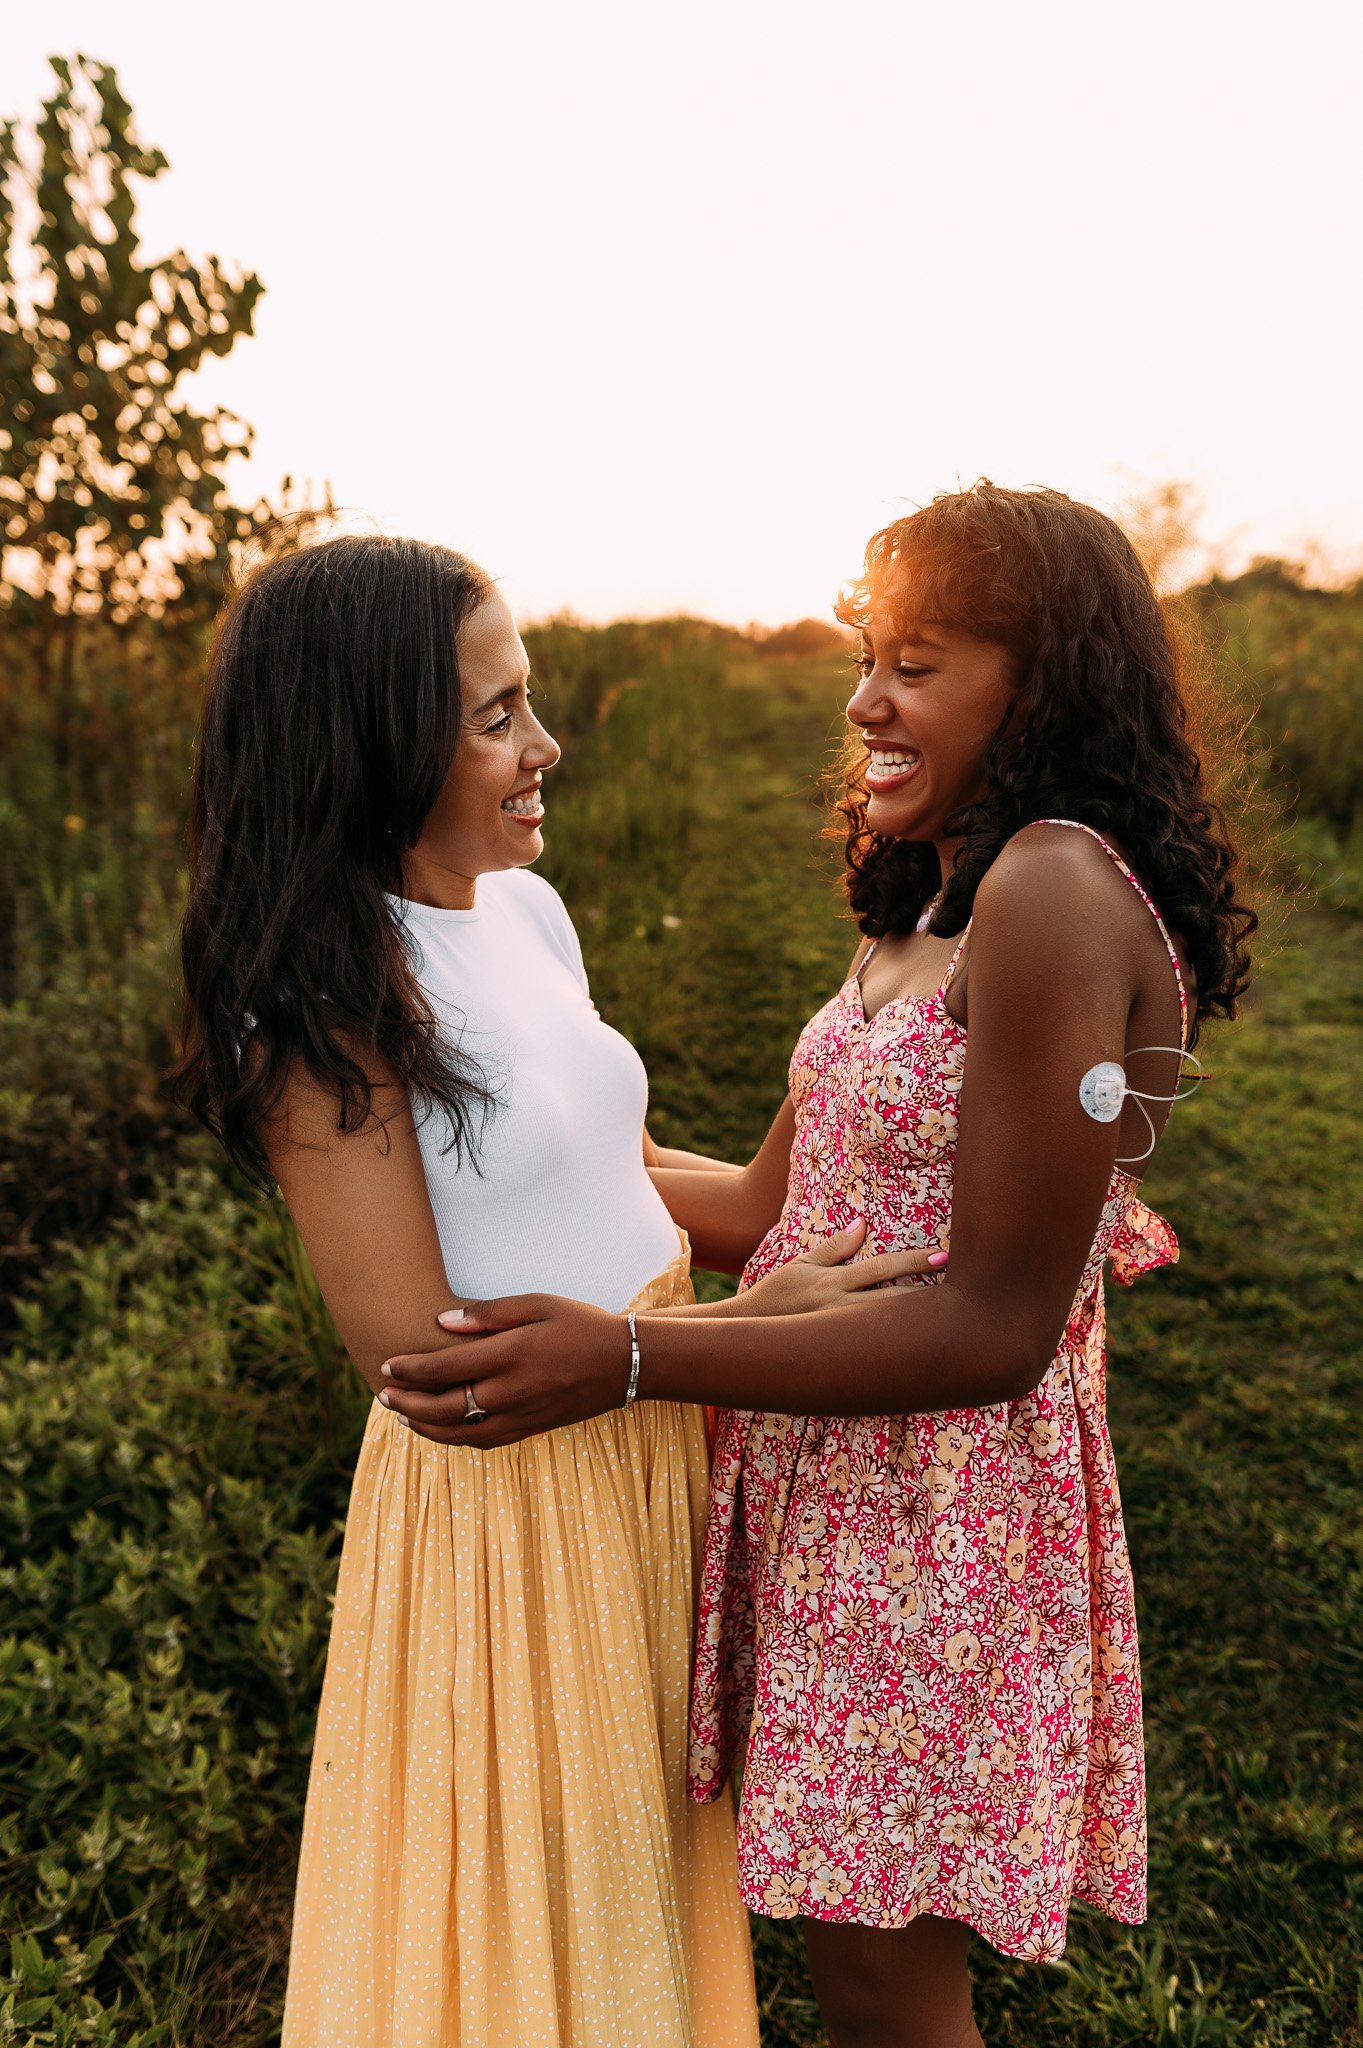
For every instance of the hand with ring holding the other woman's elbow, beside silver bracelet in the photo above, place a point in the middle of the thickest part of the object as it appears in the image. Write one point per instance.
(533, 1361)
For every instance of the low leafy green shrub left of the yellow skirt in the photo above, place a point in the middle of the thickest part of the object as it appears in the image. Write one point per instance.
(169, 1523)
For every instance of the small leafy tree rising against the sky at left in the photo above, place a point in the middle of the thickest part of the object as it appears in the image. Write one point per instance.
(112, 486)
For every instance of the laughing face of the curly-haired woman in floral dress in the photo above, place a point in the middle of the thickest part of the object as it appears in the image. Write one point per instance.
(928, 706)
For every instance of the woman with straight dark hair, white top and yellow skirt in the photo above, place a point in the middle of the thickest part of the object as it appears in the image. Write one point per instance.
(390, 1019)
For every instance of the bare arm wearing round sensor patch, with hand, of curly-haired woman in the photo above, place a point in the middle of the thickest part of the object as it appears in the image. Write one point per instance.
(1055, 970)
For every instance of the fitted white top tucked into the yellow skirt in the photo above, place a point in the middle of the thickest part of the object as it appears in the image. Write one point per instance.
(560, 1201)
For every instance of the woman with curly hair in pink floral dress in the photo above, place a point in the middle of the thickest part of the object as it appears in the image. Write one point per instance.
(918, 1615)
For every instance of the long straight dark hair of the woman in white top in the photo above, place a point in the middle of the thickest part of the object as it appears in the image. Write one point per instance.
(331, 722)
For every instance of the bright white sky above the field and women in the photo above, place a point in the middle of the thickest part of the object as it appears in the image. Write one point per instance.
(660, 308)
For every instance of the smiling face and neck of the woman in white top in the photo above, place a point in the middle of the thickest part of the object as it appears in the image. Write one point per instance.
(492, 808)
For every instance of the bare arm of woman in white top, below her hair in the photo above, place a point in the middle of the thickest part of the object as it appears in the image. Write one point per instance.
(363, 1213)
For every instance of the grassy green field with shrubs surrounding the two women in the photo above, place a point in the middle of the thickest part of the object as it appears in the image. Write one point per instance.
(177, 1420)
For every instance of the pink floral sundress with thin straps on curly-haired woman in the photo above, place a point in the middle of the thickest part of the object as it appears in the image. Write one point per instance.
(922, 1629)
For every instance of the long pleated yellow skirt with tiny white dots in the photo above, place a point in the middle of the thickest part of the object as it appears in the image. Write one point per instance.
(498, 1848)
